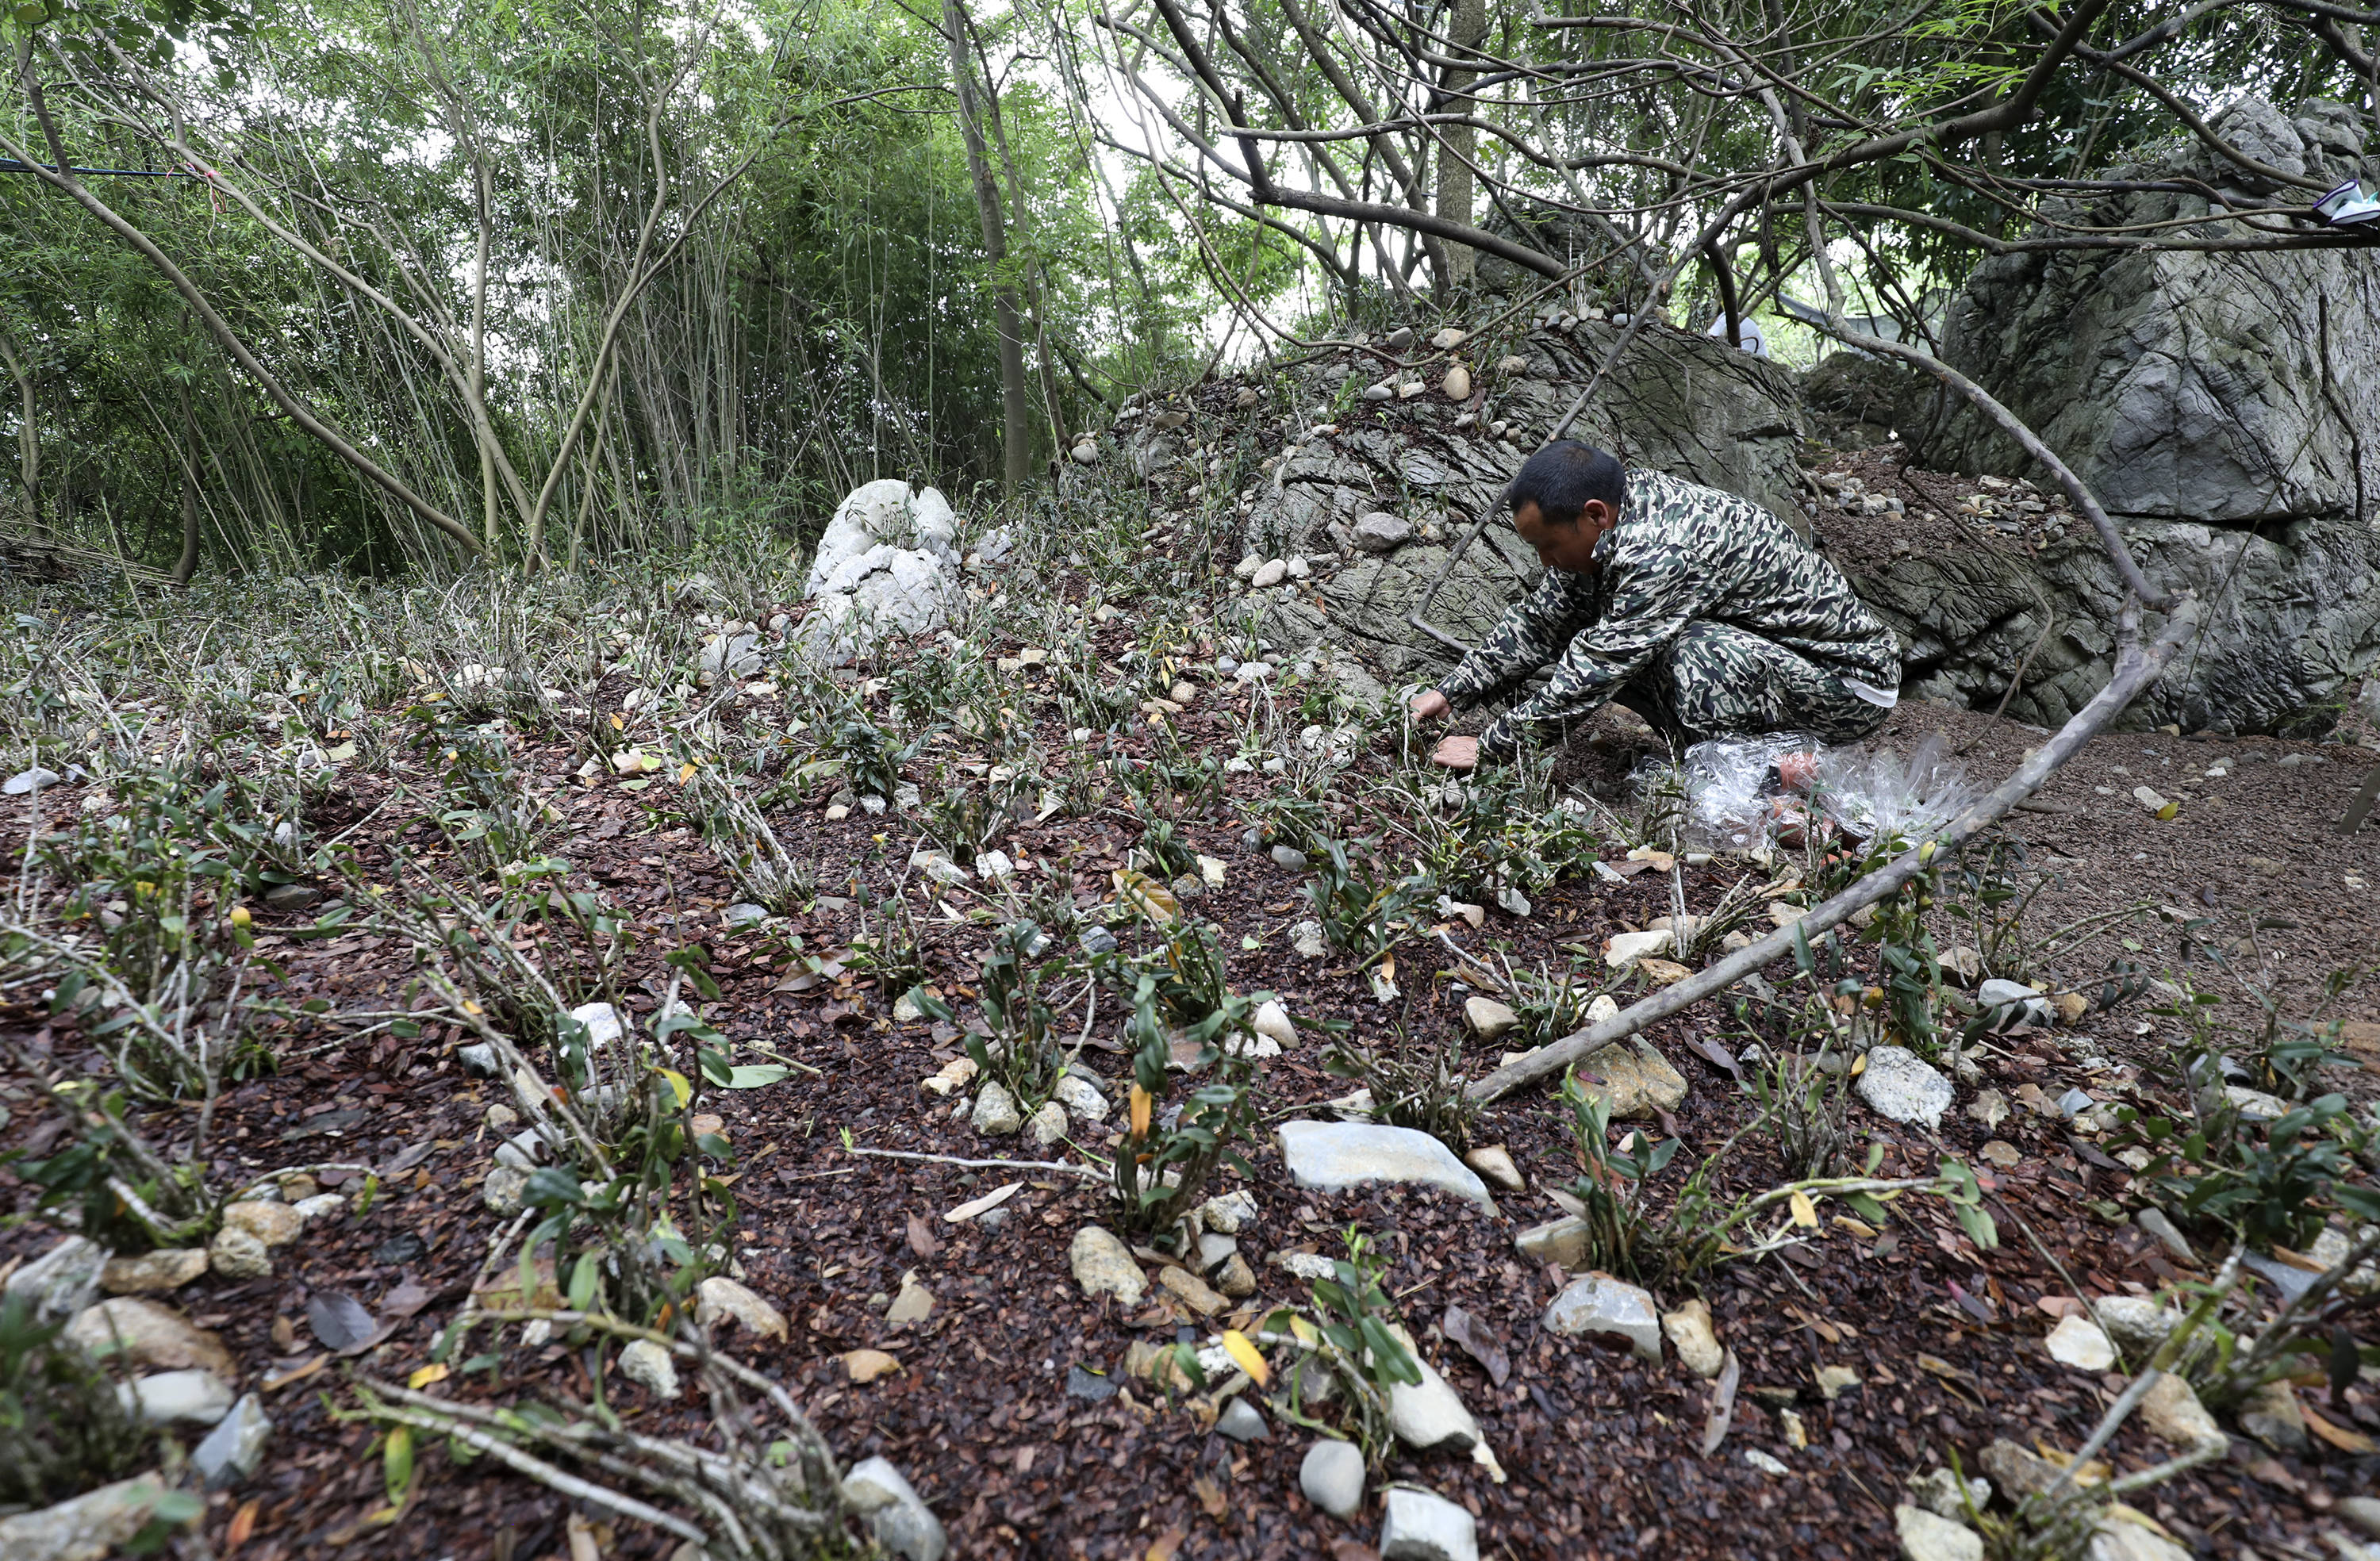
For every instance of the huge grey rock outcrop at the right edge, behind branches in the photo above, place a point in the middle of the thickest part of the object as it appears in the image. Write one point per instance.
(2222, 406)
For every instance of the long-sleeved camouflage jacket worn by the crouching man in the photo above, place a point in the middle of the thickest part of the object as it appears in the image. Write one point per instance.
(1679, 553)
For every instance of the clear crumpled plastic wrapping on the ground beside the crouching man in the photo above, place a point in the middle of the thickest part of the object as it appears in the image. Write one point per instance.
(1734, 796)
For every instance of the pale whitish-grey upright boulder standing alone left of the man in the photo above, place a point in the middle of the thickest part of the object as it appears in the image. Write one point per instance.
(887, 565)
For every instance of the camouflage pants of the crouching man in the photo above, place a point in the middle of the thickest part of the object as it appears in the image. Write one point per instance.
(1727, 682)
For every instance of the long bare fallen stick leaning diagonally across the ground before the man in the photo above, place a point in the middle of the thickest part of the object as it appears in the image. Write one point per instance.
(2134, 672)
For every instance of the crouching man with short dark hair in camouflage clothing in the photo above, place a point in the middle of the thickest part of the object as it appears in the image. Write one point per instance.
(1693, 608)
